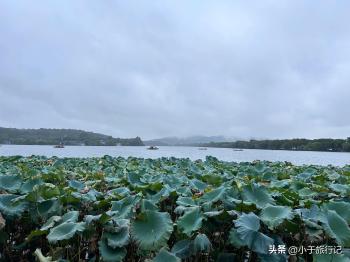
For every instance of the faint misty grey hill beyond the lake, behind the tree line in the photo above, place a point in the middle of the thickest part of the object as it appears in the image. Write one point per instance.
(185, 141)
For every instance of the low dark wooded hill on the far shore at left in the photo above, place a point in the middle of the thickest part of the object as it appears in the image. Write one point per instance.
(44, 136)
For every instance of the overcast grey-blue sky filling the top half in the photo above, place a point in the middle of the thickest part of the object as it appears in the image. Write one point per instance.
(265, 69)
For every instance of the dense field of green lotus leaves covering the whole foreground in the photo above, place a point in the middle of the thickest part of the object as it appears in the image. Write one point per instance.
(169, 209)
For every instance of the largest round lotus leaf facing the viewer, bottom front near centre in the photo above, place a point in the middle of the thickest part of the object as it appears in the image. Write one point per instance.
(152, 229)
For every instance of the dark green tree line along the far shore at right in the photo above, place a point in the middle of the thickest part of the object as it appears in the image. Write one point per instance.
(325, 144)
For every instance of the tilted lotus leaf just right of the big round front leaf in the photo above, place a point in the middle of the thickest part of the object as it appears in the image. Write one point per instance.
(190, 221)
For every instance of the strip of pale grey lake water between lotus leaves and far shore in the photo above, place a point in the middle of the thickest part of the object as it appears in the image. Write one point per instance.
(226, 154)
